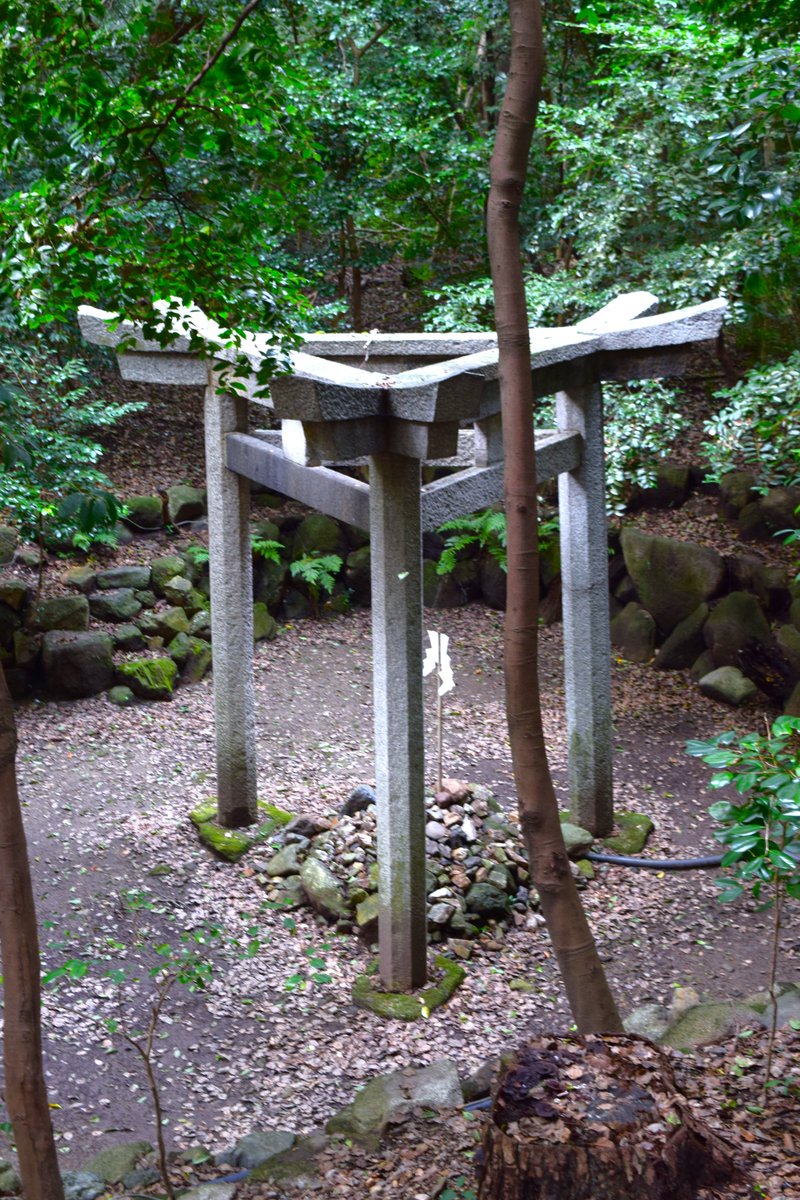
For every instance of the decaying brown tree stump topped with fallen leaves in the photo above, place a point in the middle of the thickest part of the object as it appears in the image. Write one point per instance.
(597, 1119)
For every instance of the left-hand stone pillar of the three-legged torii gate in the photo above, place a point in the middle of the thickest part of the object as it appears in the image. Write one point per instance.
(231, 569)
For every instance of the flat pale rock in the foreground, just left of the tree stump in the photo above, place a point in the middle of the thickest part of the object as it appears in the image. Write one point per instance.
(388, 1097)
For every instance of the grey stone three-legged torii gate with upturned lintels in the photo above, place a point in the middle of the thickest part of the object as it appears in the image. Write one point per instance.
(412, 399)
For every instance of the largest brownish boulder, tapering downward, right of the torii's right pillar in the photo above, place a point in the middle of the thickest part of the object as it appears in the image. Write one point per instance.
(671, 578)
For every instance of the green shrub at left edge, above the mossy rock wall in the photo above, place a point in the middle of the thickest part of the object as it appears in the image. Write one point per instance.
(50, 484)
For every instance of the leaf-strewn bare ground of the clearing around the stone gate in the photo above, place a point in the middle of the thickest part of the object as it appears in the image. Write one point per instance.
(119, 871)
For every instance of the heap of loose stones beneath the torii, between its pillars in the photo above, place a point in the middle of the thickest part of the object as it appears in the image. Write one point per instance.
(477, 874)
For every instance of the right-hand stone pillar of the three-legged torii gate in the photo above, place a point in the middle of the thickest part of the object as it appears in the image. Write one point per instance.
(587, 635)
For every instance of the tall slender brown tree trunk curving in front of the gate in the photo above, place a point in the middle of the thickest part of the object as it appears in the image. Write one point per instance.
(591, 1000)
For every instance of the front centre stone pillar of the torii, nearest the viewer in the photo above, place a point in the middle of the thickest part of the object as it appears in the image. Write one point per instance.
(400, 735)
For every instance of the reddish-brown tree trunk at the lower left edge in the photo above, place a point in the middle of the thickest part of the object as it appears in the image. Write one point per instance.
(26, 1090)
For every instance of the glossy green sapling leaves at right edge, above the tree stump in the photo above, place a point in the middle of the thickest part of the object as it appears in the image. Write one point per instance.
(762, 832)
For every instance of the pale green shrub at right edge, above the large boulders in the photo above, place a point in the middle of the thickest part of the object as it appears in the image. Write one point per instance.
(760, 427)
